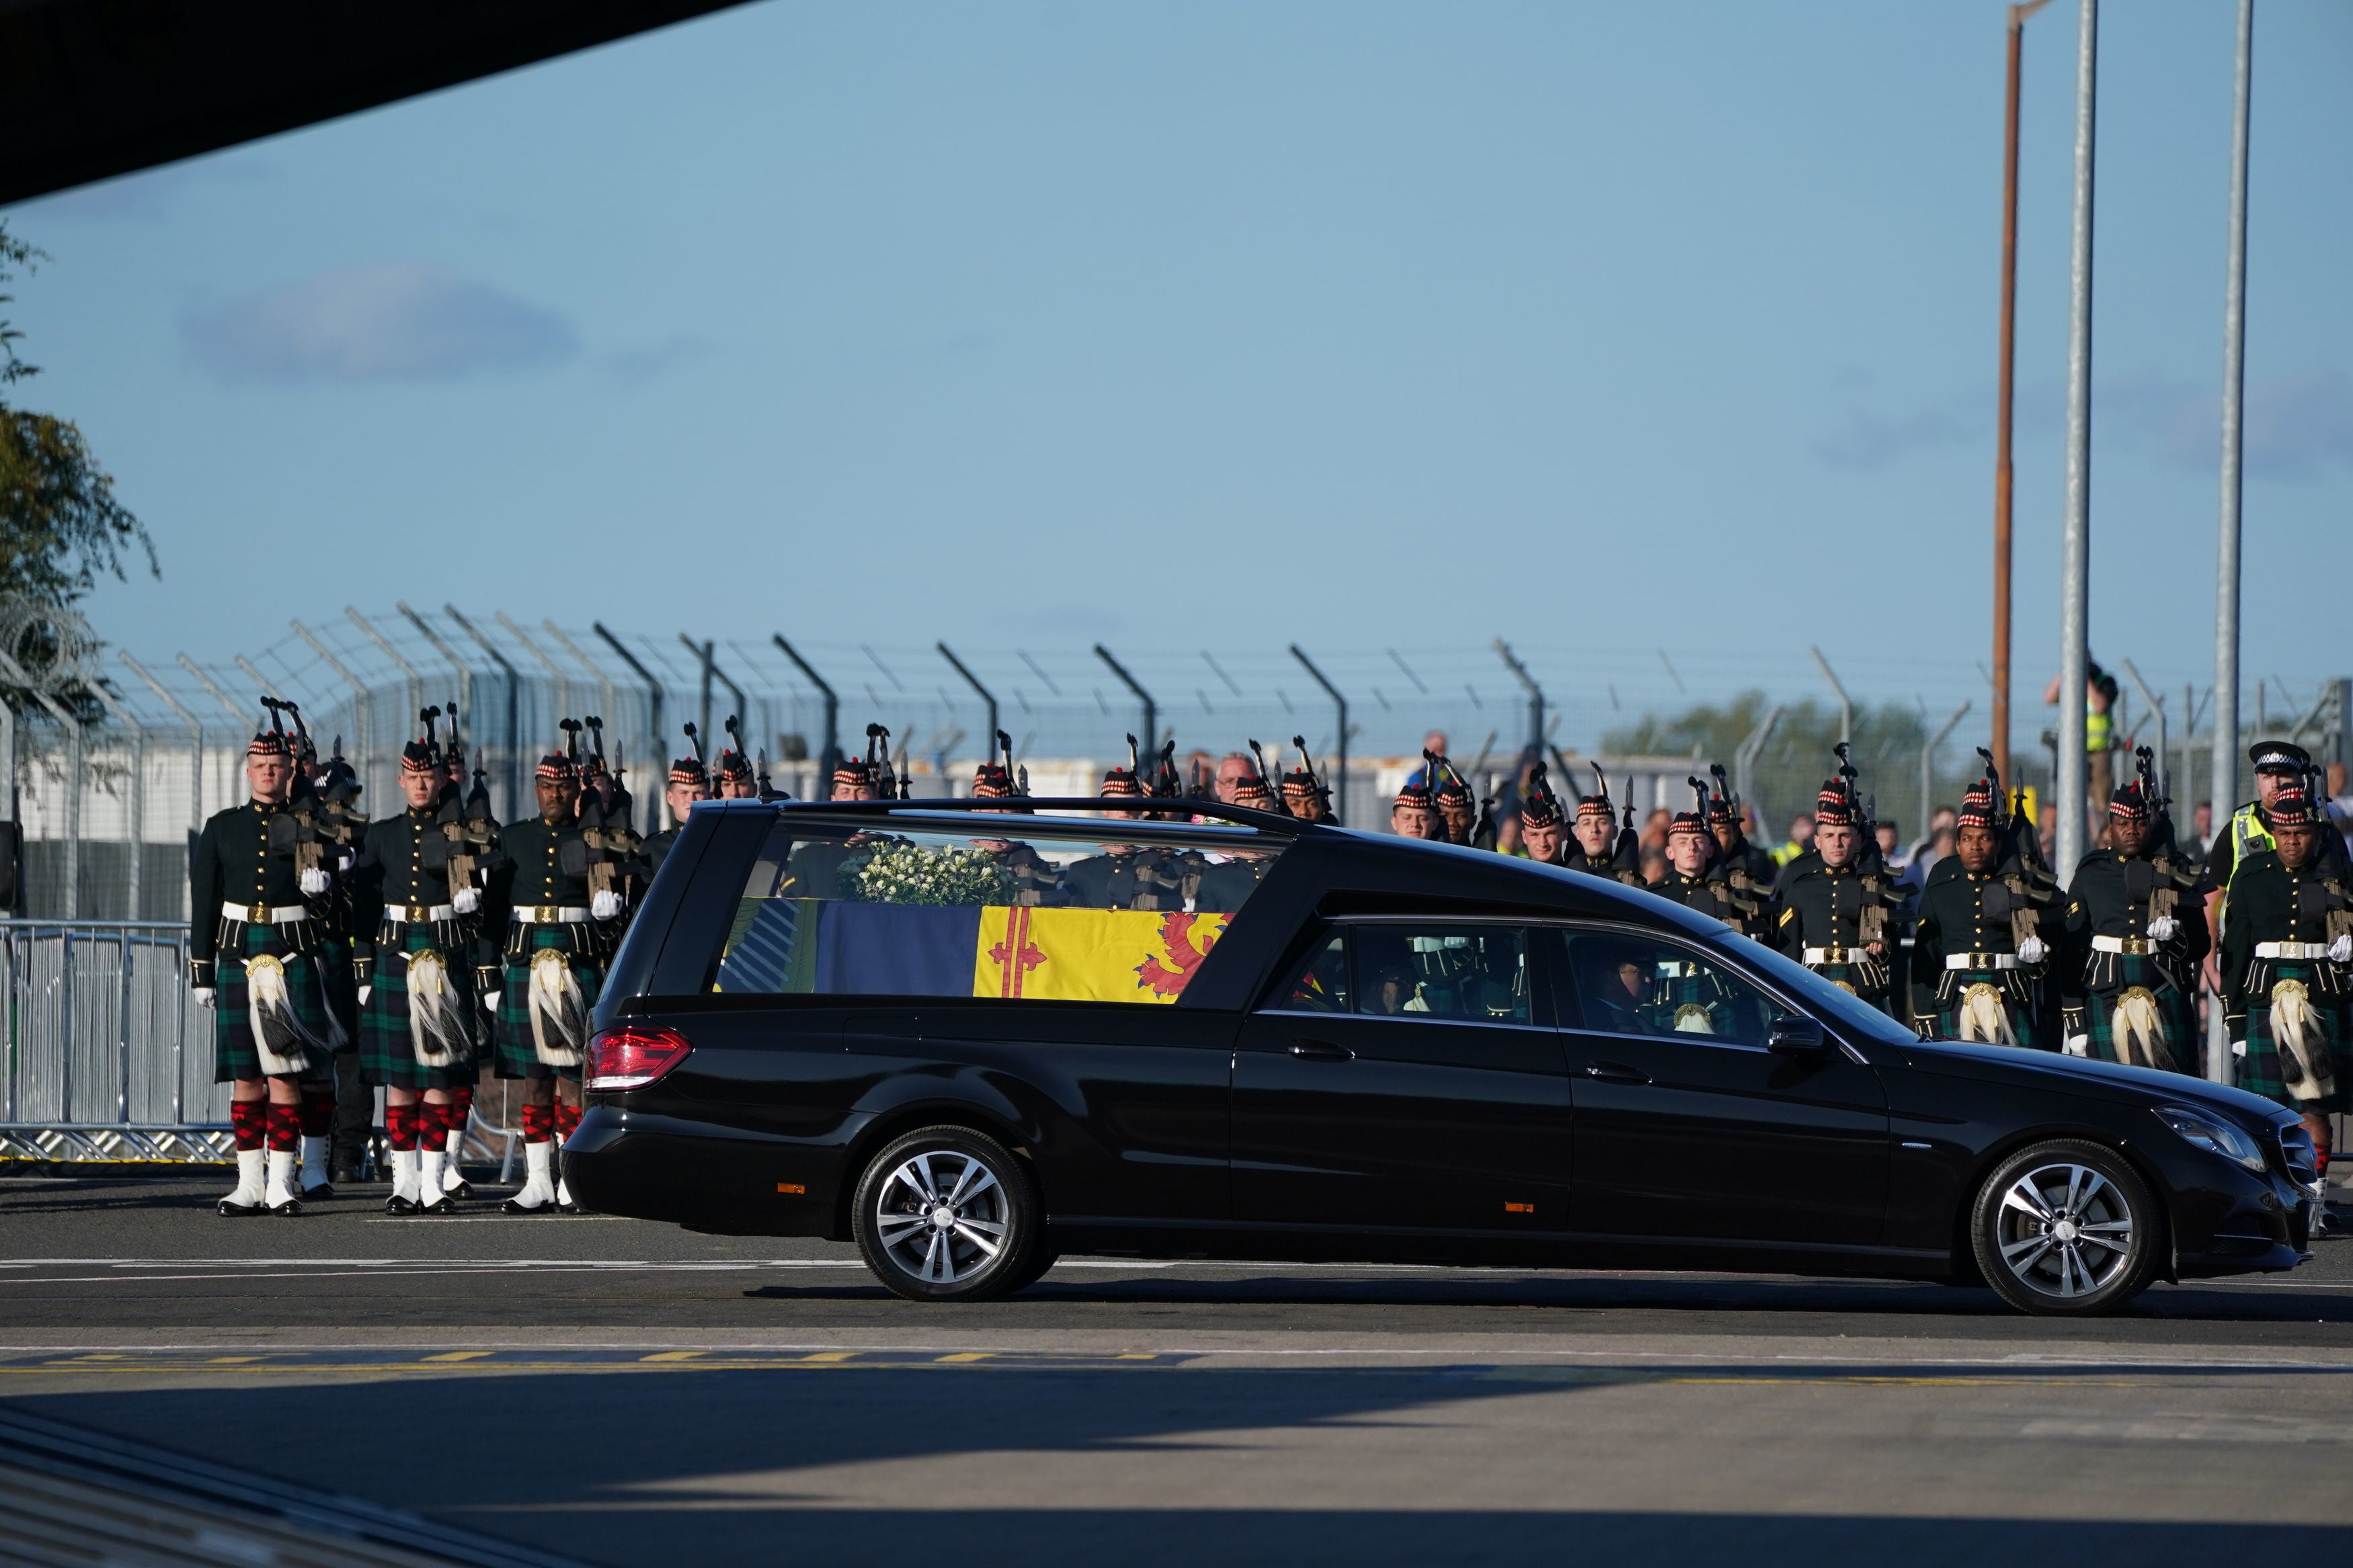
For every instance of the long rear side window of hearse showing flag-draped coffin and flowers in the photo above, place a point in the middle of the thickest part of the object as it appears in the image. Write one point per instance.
(959, 906)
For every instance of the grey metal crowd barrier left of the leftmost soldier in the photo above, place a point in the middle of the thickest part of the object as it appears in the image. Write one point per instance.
(107, 1054)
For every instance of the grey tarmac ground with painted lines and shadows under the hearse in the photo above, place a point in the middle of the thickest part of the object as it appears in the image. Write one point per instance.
(620, 1393)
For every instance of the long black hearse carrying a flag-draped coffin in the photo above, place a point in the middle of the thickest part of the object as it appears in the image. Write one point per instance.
(975, 1043)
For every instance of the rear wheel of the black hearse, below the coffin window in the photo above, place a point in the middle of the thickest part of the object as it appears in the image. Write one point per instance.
(949, 1217)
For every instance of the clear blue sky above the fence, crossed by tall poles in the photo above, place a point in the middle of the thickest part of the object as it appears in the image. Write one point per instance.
(1229, 326)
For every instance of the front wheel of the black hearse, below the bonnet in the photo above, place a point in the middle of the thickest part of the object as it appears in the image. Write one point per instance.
(2067, 1231)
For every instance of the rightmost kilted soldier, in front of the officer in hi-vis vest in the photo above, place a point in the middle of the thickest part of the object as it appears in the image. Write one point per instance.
(2288, 972)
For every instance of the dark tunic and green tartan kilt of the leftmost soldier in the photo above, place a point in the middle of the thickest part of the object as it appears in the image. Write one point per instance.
(234, 864)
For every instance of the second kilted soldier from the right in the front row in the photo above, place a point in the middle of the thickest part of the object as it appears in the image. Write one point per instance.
(2135, 944)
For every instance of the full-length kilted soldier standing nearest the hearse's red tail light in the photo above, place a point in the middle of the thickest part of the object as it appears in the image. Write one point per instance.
(556, 944)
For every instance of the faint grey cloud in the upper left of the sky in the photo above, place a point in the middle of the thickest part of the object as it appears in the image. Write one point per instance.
(401, 321)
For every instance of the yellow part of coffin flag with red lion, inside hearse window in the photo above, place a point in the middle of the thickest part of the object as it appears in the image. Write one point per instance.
(1091, 956)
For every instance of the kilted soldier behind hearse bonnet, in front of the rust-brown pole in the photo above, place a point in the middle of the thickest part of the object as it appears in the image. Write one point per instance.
(1978, 949)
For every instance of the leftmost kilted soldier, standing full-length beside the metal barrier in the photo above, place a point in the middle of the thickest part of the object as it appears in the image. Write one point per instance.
(255, 956)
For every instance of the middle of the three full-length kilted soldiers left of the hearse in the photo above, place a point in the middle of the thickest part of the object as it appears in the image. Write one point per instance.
(418, 1005)
